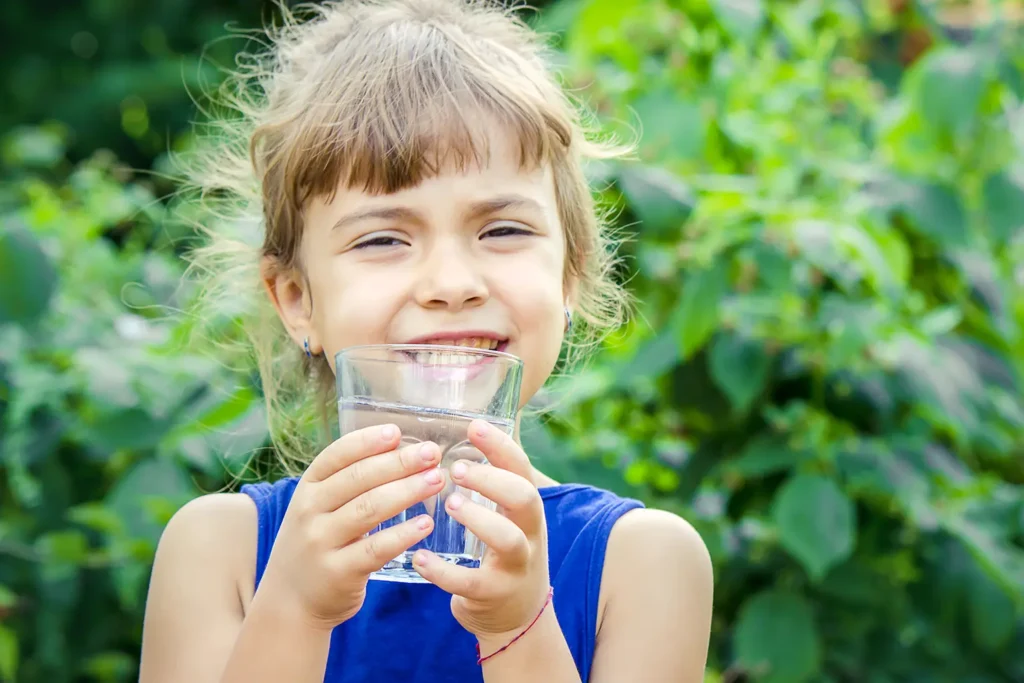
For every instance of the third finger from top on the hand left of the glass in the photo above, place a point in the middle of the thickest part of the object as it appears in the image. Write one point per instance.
(378, 505)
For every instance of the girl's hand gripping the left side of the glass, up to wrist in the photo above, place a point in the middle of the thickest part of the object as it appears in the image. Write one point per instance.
(321, 562)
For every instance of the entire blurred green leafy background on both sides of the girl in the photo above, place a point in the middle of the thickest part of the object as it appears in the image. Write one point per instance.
(826, 374)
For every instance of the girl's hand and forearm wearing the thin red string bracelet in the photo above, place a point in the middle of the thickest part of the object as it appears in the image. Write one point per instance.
(499, 601)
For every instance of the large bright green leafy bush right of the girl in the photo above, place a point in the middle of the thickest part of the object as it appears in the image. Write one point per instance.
(828, 370)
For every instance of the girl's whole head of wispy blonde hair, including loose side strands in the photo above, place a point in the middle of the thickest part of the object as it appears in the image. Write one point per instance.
(379, 95)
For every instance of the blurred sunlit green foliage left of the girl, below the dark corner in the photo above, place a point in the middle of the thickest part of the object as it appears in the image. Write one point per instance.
(111, 419)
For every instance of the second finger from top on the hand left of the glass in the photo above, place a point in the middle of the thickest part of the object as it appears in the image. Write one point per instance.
(369, 474)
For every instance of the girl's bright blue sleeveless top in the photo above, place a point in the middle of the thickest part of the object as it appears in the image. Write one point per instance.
(406, 632)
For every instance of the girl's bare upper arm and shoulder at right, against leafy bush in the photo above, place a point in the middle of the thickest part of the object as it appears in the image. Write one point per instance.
(657, 622)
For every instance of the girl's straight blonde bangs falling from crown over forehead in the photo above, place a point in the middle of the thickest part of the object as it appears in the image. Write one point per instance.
(426, 105)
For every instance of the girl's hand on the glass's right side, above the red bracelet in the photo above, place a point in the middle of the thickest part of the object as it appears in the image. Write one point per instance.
(505, 594)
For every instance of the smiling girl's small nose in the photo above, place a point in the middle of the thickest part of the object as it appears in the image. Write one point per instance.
(451, 279)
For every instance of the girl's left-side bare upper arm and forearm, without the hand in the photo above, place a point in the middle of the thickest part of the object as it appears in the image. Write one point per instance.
(195, 626)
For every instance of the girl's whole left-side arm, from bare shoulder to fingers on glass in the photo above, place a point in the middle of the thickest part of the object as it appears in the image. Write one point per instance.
(197, 629)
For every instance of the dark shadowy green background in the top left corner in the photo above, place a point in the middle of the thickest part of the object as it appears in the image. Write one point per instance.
(119, 74)
